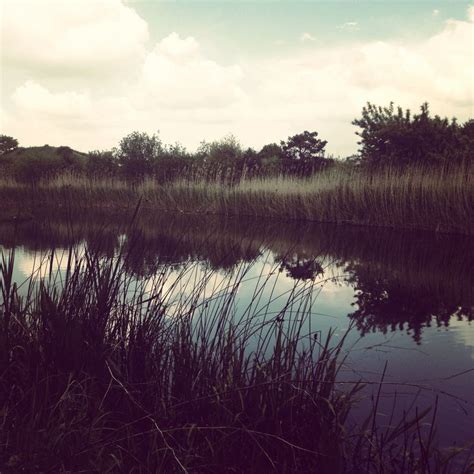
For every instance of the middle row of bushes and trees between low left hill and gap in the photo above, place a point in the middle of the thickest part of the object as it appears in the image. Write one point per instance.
(140, 155)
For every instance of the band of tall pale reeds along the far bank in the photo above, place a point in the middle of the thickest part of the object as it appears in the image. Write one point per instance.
(432, 198)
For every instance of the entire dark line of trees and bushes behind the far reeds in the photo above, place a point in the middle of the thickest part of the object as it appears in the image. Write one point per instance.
(387, 136)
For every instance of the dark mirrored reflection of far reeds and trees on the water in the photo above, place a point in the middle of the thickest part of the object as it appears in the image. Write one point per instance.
(401, 280)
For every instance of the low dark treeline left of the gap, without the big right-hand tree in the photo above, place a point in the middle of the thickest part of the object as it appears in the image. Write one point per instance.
(140, 155)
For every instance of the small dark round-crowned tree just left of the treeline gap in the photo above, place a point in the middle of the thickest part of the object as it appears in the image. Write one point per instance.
(304, 152)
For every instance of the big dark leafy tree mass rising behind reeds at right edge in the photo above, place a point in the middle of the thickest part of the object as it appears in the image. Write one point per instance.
(397, 137)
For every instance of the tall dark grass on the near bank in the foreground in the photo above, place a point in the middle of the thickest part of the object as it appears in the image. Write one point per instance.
(101, 372)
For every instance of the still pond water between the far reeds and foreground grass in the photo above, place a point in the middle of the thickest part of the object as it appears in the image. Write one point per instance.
(409, 296)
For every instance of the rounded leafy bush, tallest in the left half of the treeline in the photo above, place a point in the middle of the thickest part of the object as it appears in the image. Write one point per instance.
(137, 154)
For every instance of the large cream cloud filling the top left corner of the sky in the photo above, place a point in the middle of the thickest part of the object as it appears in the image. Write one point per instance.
(67, 37)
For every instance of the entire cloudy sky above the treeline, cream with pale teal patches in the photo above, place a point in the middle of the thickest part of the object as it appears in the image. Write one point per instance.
(84, 73)
